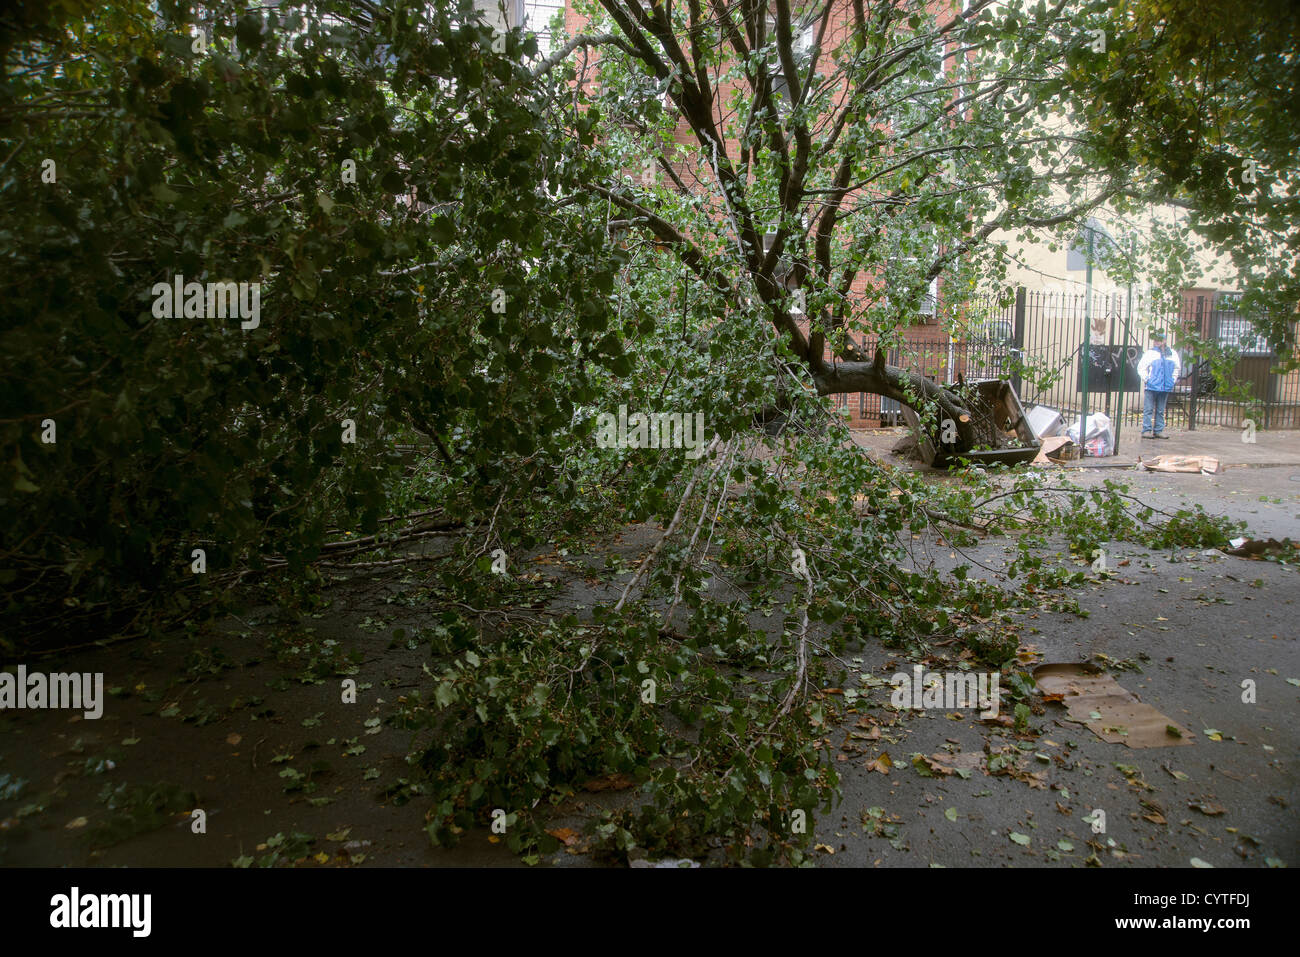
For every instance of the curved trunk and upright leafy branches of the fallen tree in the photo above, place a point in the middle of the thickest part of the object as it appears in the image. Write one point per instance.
(827, 161)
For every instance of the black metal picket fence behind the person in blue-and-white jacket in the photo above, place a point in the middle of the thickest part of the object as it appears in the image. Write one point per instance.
(1069, 350)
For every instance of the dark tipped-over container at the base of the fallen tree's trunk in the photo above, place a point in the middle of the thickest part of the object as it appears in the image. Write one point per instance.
(1002, 432)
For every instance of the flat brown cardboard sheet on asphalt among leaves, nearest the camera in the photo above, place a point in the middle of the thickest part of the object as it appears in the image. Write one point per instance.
(1124, 720)
